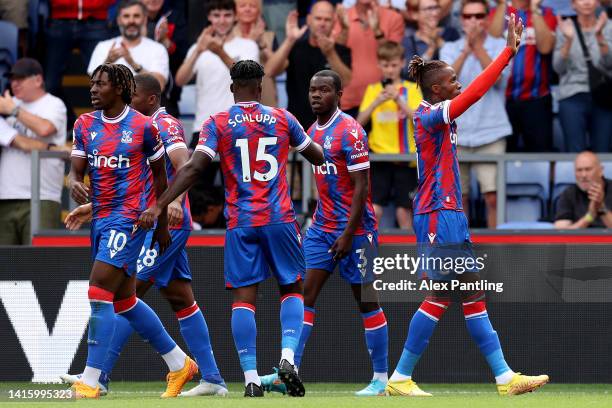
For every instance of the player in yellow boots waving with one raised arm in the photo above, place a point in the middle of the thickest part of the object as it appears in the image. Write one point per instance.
(441, 227)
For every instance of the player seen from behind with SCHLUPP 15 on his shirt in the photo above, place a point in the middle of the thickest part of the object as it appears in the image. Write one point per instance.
(253, 143)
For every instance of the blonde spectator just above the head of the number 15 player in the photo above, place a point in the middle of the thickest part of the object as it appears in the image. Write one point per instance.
(250, 24)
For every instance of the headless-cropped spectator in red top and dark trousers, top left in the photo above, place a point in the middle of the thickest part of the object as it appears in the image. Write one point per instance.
(72, 26)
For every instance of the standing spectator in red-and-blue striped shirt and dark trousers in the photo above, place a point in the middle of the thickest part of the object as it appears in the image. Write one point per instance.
(528, 99)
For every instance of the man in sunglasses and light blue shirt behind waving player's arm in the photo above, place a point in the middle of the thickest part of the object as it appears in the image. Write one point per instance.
(484, 127)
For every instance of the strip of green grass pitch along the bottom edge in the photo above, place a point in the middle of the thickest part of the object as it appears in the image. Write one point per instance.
(146, 394)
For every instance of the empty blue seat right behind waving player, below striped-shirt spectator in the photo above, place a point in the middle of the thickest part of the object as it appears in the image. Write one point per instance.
(527, 190)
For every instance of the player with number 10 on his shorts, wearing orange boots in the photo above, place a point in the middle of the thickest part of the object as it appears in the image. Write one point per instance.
(115, 143)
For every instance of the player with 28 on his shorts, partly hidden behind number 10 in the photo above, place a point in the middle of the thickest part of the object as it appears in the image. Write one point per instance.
(169, 271)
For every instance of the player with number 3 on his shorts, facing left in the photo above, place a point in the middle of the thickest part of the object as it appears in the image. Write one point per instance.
(344, 229)
